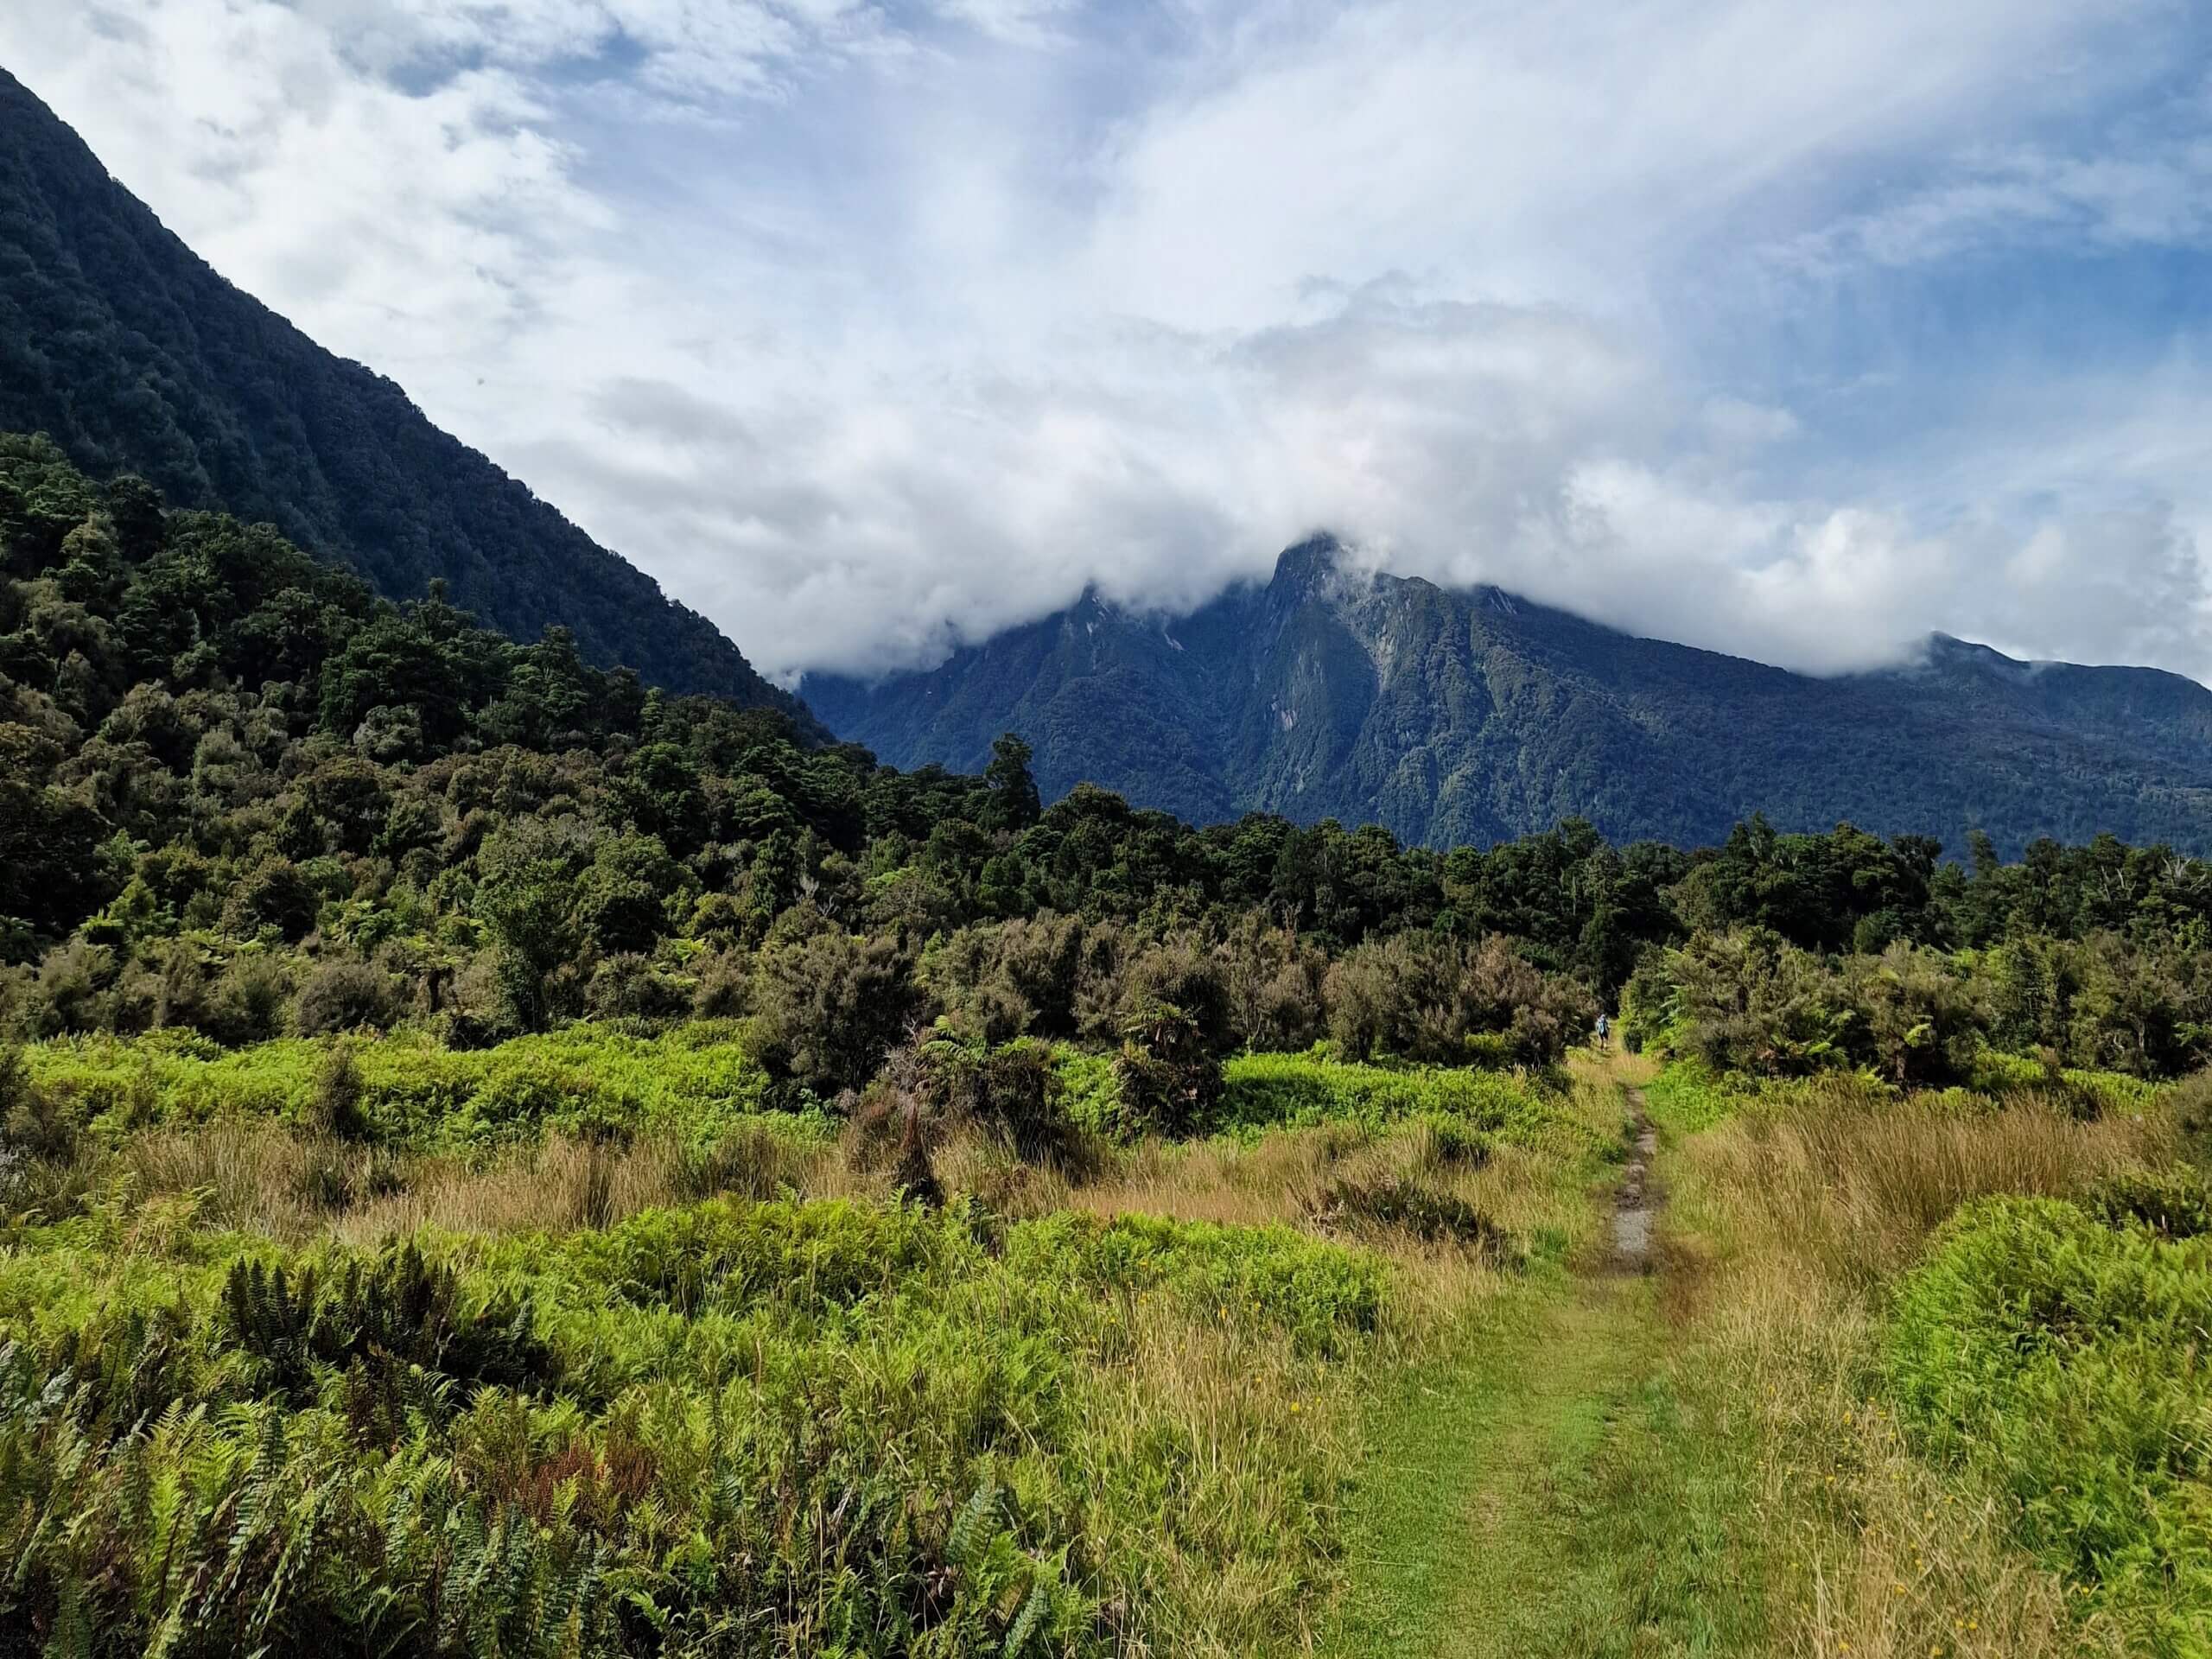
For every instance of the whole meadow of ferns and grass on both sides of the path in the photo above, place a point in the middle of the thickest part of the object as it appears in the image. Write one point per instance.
(576, 1346)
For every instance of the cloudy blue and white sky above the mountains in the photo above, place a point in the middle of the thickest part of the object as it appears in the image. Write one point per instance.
(1786, 331)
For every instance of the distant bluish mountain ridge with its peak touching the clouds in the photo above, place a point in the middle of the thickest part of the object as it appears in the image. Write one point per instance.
(1472, 718)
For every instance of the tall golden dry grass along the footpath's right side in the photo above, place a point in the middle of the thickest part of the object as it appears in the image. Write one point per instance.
(1788, 1227)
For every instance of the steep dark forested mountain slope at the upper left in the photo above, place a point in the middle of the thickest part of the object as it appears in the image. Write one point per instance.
(136, 355)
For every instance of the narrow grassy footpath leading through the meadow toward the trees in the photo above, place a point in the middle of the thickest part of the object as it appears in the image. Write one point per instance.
(1550, 1492)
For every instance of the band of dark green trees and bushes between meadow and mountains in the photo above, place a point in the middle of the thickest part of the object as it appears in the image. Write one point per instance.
(247, 797)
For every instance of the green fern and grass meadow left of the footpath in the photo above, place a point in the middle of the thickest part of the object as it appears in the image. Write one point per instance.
(567, 1348)
